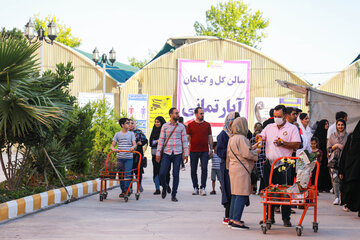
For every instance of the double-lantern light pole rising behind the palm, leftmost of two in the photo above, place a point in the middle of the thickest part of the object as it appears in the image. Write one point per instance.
(30, 35)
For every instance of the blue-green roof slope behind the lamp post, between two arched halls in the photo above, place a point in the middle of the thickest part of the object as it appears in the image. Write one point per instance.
(119, 72)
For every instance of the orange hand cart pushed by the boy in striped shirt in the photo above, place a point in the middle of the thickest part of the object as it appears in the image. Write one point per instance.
(109, 174)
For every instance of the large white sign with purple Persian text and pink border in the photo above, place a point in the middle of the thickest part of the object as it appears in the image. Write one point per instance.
(219, 87)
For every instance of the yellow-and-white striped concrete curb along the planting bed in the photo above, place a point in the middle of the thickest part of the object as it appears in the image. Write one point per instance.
(30, 204)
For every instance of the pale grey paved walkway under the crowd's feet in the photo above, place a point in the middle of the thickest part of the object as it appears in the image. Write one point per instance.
(193, 217)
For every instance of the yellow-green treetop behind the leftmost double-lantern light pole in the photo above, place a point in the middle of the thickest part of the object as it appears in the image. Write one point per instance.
(64, 35)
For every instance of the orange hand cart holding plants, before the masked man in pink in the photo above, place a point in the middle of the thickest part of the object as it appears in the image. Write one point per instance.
(306, 199)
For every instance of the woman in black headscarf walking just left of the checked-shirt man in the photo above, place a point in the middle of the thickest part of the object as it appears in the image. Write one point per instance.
(154, 137)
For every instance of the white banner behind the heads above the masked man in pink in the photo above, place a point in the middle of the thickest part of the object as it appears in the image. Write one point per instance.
(262, 106)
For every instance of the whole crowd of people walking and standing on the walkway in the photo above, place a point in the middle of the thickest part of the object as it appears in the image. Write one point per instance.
(241, 158)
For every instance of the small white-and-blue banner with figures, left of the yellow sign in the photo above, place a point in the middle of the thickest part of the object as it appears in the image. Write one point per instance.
(137, 109)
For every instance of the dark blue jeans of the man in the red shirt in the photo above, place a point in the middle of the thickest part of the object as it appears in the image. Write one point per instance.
(194, 161)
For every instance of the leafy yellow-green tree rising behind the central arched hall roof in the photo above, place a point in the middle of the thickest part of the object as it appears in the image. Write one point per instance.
(234, 20)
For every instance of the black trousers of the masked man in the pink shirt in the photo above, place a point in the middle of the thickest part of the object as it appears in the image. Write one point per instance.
(280, 178)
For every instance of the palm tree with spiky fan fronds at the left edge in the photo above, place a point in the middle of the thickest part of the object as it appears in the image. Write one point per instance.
(27, 107)
